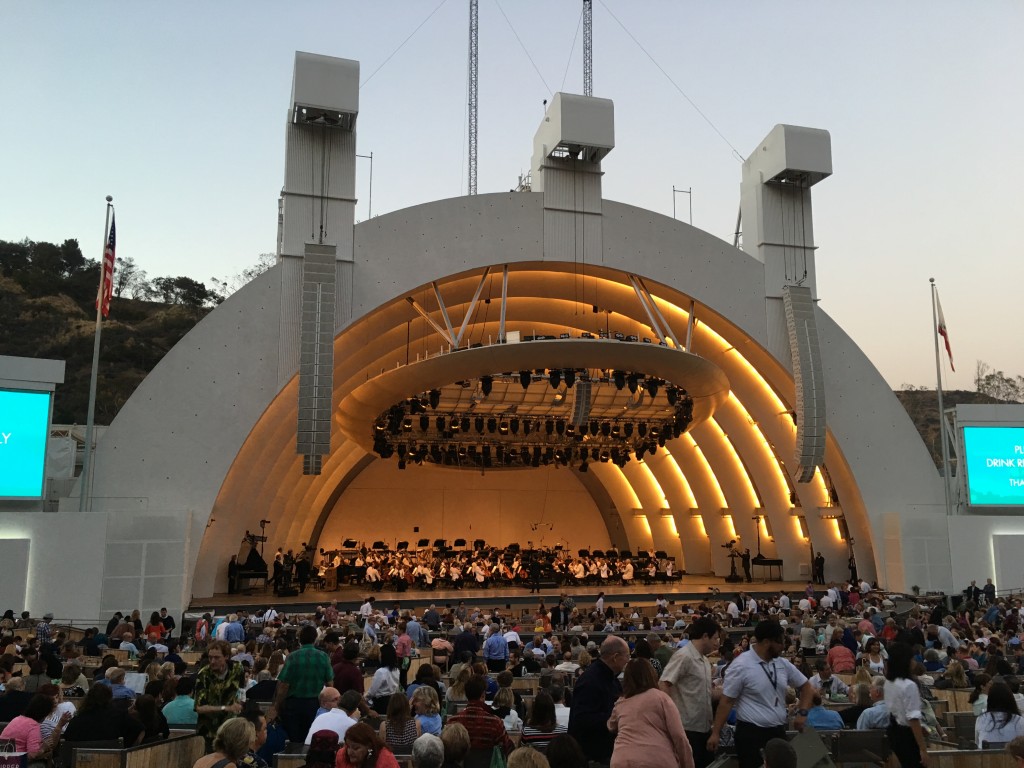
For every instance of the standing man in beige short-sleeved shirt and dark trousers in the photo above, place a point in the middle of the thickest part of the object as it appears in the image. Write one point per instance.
(688, 681)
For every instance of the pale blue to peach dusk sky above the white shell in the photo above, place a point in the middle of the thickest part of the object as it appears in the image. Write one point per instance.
(179, 111)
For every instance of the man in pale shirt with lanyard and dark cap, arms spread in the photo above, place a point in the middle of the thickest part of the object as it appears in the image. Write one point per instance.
(756, 685)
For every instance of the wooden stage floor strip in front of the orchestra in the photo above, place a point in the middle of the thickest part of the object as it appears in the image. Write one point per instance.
(688, 590)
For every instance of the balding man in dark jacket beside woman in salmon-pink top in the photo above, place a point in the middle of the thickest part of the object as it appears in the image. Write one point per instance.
(593, 699)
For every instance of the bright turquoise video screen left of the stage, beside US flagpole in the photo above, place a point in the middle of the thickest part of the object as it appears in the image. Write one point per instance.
(25, 424)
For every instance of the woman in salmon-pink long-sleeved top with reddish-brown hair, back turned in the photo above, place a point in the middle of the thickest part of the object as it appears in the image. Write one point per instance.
(649, 732)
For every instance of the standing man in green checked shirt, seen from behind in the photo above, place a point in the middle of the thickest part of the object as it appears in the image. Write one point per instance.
(305, 675)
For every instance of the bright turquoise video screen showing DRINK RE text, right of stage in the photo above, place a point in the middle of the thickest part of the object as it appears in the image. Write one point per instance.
(995, 466)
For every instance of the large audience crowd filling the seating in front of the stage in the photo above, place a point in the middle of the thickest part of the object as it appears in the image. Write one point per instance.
(596, 686)
